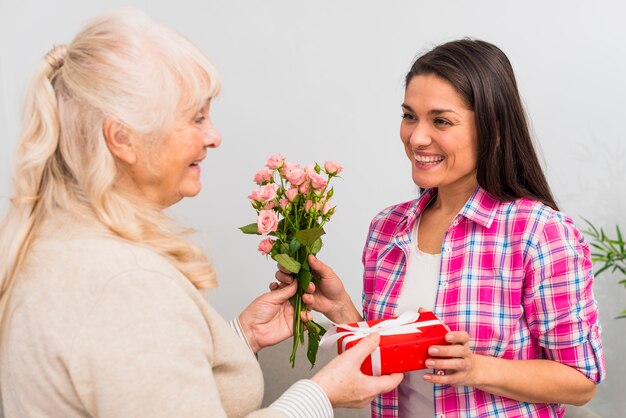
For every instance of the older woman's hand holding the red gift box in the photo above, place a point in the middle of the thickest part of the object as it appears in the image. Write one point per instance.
(344, 383)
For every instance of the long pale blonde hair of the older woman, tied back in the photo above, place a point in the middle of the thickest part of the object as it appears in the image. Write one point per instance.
(120, 65)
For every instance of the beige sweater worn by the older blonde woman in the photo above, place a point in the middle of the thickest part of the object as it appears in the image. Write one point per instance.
(102, 328)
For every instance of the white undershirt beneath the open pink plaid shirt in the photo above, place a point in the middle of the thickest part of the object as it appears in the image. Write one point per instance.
(419, 290)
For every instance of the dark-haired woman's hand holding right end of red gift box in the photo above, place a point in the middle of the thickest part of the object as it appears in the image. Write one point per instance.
(458, 362)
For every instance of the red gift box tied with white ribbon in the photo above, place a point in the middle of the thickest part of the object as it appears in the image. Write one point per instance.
(404, 341)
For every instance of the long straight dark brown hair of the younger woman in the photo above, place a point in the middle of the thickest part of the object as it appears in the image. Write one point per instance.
(507, 165)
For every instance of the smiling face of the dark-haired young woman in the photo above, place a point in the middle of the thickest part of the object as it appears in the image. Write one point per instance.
(439, 135)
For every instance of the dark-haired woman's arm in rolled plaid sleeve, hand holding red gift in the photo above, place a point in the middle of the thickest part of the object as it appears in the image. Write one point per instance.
(561, 315)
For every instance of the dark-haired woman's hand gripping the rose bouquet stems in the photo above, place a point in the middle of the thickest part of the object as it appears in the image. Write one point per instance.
(328, 297)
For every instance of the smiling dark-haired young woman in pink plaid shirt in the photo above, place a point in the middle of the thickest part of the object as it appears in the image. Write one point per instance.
(484, 246)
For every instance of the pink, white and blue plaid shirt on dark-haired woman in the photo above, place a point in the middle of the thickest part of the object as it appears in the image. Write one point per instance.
(515, 275)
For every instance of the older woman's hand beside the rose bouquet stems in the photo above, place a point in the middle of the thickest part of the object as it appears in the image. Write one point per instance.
(268, 320)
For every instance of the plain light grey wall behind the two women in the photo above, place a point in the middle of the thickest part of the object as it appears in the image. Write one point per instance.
(324, 80)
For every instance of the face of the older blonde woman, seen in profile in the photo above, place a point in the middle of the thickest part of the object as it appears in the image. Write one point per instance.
(171, 170)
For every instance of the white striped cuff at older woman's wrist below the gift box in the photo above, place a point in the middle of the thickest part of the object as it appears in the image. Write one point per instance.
(304, 399)
